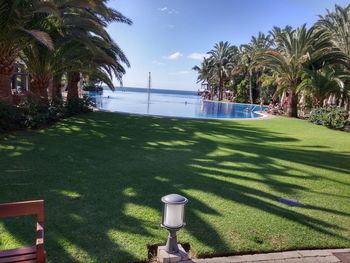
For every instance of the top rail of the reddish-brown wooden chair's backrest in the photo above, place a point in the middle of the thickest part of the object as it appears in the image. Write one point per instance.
(35, 207)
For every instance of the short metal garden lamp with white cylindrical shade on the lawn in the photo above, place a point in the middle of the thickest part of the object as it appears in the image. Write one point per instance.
(173, 219)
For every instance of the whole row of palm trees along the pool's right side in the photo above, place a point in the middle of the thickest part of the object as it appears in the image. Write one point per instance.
(308, 67)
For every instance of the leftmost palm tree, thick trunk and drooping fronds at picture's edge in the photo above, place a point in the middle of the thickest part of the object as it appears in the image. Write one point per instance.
(19, 23)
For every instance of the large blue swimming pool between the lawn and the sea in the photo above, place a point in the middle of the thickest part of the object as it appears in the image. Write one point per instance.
(171, 105)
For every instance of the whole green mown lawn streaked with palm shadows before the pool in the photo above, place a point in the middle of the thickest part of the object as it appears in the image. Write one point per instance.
(102, 176)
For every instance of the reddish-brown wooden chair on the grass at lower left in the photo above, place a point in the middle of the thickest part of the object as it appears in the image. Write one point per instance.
(28, 254)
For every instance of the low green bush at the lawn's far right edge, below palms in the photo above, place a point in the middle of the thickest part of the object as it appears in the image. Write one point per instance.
(332, 117)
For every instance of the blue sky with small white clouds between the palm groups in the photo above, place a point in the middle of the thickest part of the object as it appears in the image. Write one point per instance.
(169, 37)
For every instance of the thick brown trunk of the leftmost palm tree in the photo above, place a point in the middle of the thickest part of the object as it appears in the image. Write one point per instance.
(7, 68)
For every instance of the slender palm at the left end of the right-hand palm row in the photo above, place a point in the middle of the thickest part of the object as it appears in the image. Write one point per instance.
(222, 60)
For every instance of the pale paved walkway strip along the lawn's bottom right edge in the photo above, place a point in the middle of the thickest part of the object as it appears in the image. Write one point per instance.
(298, 256)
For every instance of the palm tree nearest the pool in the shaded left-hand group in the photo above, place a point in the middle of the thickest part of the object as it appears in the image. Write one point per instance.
(109, 61)
